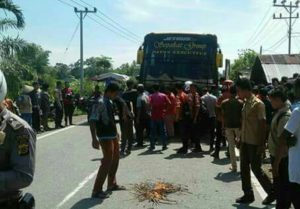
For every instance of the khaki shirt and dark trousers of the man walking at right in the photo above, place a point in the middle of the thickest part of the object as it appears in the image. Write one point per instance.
(252, 114)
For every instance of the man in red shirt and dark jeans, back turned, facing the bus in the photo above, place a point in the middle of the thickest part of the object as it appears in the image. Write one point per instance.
(159, 103)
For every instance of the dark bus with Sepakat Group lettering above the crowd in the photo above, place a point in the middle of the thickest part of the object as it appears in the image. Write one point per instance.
(170, 58)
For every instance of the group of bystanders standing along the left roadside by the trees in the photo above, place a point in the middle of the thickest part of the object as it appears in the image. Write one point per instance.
(34, 105)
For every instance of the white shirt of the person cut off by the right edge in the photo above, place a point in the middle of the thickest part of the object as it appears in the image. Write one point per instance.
(293, 126)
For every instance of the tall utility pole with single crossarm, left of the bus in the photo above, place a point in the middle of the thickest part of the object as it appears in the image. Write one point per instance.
(82, 15)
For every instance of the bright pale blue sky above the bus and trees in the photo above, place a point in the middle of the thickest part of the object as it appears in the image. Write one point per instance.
(238, 24)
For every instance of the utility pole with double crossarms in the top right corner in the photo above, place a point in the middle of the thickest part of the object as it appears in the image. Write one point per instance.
(291, 10)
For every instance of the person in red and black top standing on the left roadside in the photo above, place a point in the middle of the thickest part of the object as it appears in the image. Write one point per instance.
(67, 94)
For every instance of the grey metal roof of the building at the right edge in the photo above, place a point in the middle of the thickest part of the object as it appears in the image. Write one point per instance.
(279, 65)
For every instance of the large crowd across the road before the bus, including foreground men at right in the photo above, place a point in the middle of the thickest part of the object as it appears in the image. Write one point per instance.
(239, 115)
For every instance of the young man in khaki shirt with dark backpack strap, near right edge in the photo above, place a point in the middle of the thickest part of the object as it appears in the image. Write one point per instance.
(279, 101)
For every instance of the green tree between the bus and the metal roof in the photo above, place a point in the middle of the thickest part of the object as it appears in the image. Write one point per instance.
(244, 62)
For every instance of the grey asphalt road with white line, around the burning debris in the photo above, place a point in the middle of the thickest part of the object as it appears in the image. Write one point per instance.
(67, 165)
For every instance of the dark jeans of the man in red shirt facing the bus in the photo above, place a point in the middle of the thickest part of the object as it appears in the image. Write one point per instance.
(158, 130)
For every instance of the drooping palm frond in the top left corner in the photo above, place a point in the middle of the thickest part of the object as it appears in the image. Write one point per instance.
(18, 22)
